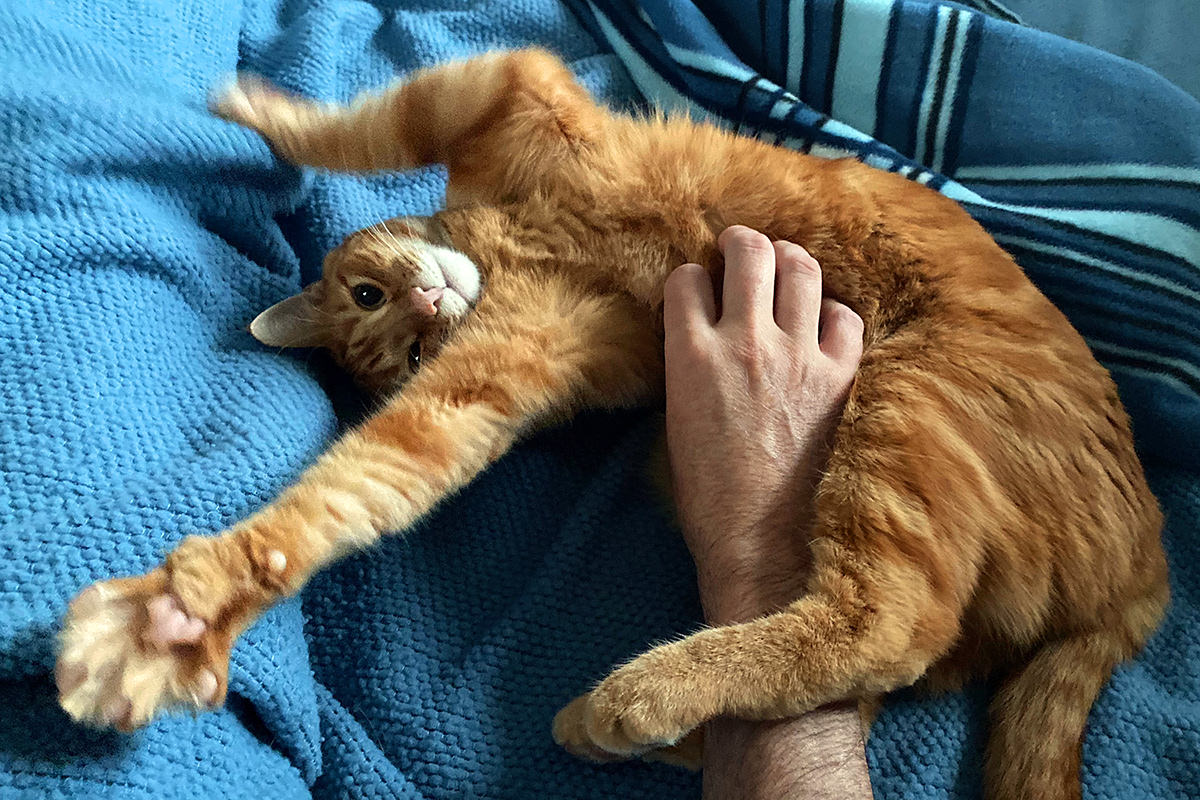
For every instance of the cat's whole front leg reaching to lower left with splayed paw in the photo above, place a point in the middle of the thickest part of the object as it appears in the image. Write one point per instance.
(535, 350)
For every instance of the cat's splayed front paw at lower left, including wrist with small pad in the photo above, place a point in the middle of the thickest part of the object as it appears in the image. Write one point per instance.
(135, 647)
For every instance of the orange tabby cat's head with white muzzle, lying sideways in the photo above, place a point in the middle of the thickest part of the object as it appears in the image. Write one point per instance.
(387, 302)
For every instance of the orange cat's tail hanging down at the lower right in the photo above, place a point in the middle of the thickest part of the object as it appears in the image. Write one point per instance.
(1041, 711)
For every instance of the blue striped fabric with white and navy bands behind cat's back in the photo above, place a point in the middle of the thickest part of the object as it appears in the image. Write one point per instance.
(1084, 166)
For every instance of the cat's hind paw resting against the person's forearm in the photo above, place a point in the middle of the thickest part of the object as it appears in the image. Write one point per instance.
(635, 712)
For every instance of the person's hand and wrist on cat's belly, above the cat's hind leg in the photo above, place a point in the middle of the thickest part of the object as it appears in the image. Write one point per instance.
(753, 399)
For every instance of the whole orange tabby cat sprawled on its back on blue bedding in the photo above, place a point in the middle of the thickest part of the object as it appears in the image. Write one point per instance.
(983, 508)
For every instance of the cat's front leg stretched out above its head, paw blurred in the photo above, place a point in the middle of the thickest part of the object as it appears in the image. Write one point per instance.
(497, 121)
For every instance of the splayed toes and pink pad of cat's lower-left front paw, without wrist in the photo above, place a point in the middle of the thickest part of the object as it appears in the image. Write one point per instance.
(129, 651)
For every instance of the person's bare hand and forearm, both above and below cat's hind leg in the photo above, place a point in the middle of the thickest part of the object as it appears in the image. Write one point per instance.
(754, 395)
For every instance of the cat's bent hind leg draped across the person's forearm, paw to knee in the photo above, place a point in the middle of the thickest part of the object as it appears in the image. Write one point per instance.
(868, 627)
